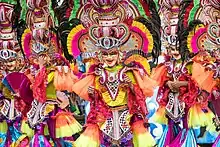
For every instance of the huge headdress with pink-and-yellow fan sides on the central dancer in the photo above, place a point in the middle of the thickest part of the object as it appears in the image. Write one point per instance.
(107, 30)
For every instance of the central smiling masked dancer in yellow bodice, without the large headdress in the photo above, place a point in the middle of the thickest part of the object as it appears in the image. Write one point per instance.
(117, 95)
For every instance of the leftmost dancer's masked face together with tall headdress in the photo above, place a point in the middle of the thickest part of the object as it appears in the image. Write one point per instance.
(10, 52)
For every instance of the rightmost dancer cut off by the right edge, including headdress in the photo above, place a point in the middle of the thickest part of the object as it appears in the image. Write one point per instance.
(205, 42)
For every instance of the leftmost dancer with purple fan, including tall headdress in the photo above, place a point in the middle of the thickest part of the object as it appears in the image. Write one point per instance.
(12, 65)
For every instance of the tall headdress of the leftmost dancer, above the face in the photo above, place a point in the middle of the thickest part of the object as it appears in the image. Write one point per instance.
(10, 49)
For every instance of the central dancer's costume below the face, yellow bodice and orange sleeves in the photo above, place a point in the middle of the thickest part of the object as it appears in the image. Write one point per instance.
(114, 105)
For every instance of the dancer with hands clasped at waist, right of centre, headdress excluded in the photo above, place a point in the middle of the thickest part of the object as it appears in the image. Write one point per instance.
(181, 102)
